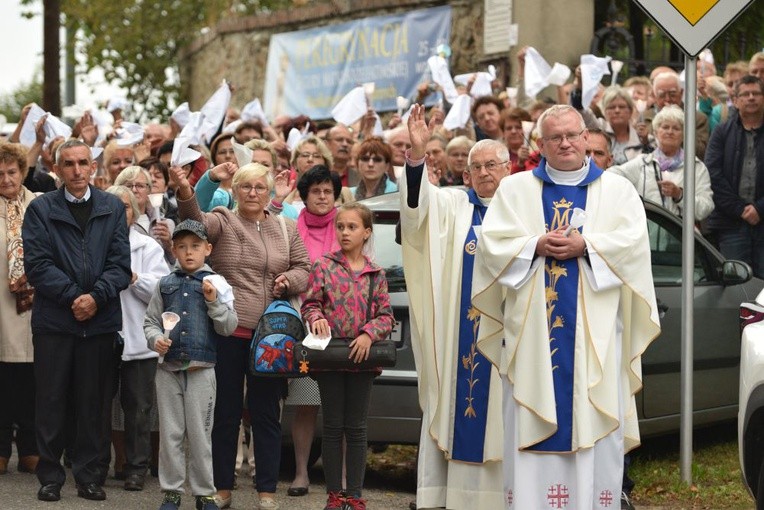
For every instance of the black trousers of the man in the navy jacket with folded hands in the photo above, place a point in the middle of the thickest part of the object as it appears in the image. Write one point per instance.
(76, 371)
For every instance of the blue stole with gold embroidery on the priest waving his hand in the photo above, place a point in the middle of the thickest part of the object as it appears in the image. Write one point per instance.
(473, 372)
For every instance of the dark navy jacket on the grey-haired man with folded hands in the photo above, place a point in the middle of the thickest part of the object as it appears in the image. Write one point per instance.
(62, 262)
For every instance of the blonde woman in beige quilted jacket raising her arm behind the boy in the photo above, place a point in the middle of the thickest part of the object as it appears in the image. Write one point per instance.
(263, 258)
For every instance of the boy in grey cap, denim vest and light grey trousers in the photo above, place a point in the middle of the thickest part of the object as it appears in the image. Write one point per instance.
(185, 381)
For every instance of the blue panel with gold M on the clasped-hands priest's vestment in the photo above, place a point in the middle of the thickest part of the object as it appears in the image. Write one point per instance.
(561, 282)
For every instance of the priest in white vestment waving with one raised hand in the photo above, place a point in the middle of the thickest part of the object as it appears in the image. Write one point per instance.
(461, 443)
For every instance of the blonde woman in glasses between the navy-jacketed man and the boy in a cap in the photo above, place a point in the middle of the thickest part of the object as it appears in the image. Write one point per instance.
(148, 221)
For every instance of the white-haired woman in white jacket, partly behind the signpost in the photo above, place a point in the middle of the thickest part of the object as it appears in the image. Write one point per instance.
(659, 176)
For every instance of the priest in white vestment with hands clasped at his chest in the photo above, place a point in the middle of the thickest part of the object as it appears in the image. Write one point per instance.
(564, 285)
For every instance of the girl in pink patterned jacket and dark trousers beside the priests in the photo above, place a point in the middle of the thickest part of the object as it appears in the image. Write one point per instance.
(337, 304)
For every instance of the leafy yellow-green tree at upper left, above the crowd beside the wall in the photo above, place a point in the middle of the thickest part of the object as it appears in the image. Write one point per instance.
(136, 42)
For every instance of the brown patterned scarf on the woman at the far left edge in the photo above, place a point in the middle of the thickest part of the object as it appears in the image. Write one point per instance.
(17, 280)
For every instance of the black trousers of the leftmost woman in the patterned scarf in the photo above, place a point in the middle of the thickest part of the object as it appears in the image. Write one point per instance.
(17, 407)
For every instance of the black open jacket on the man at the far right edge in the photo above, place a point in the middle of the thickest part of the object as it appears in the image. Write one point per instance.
(724, 159)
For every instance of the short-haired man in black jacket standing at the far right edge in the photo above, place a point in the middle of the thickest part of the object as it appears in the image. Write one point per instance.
(735, 161)
